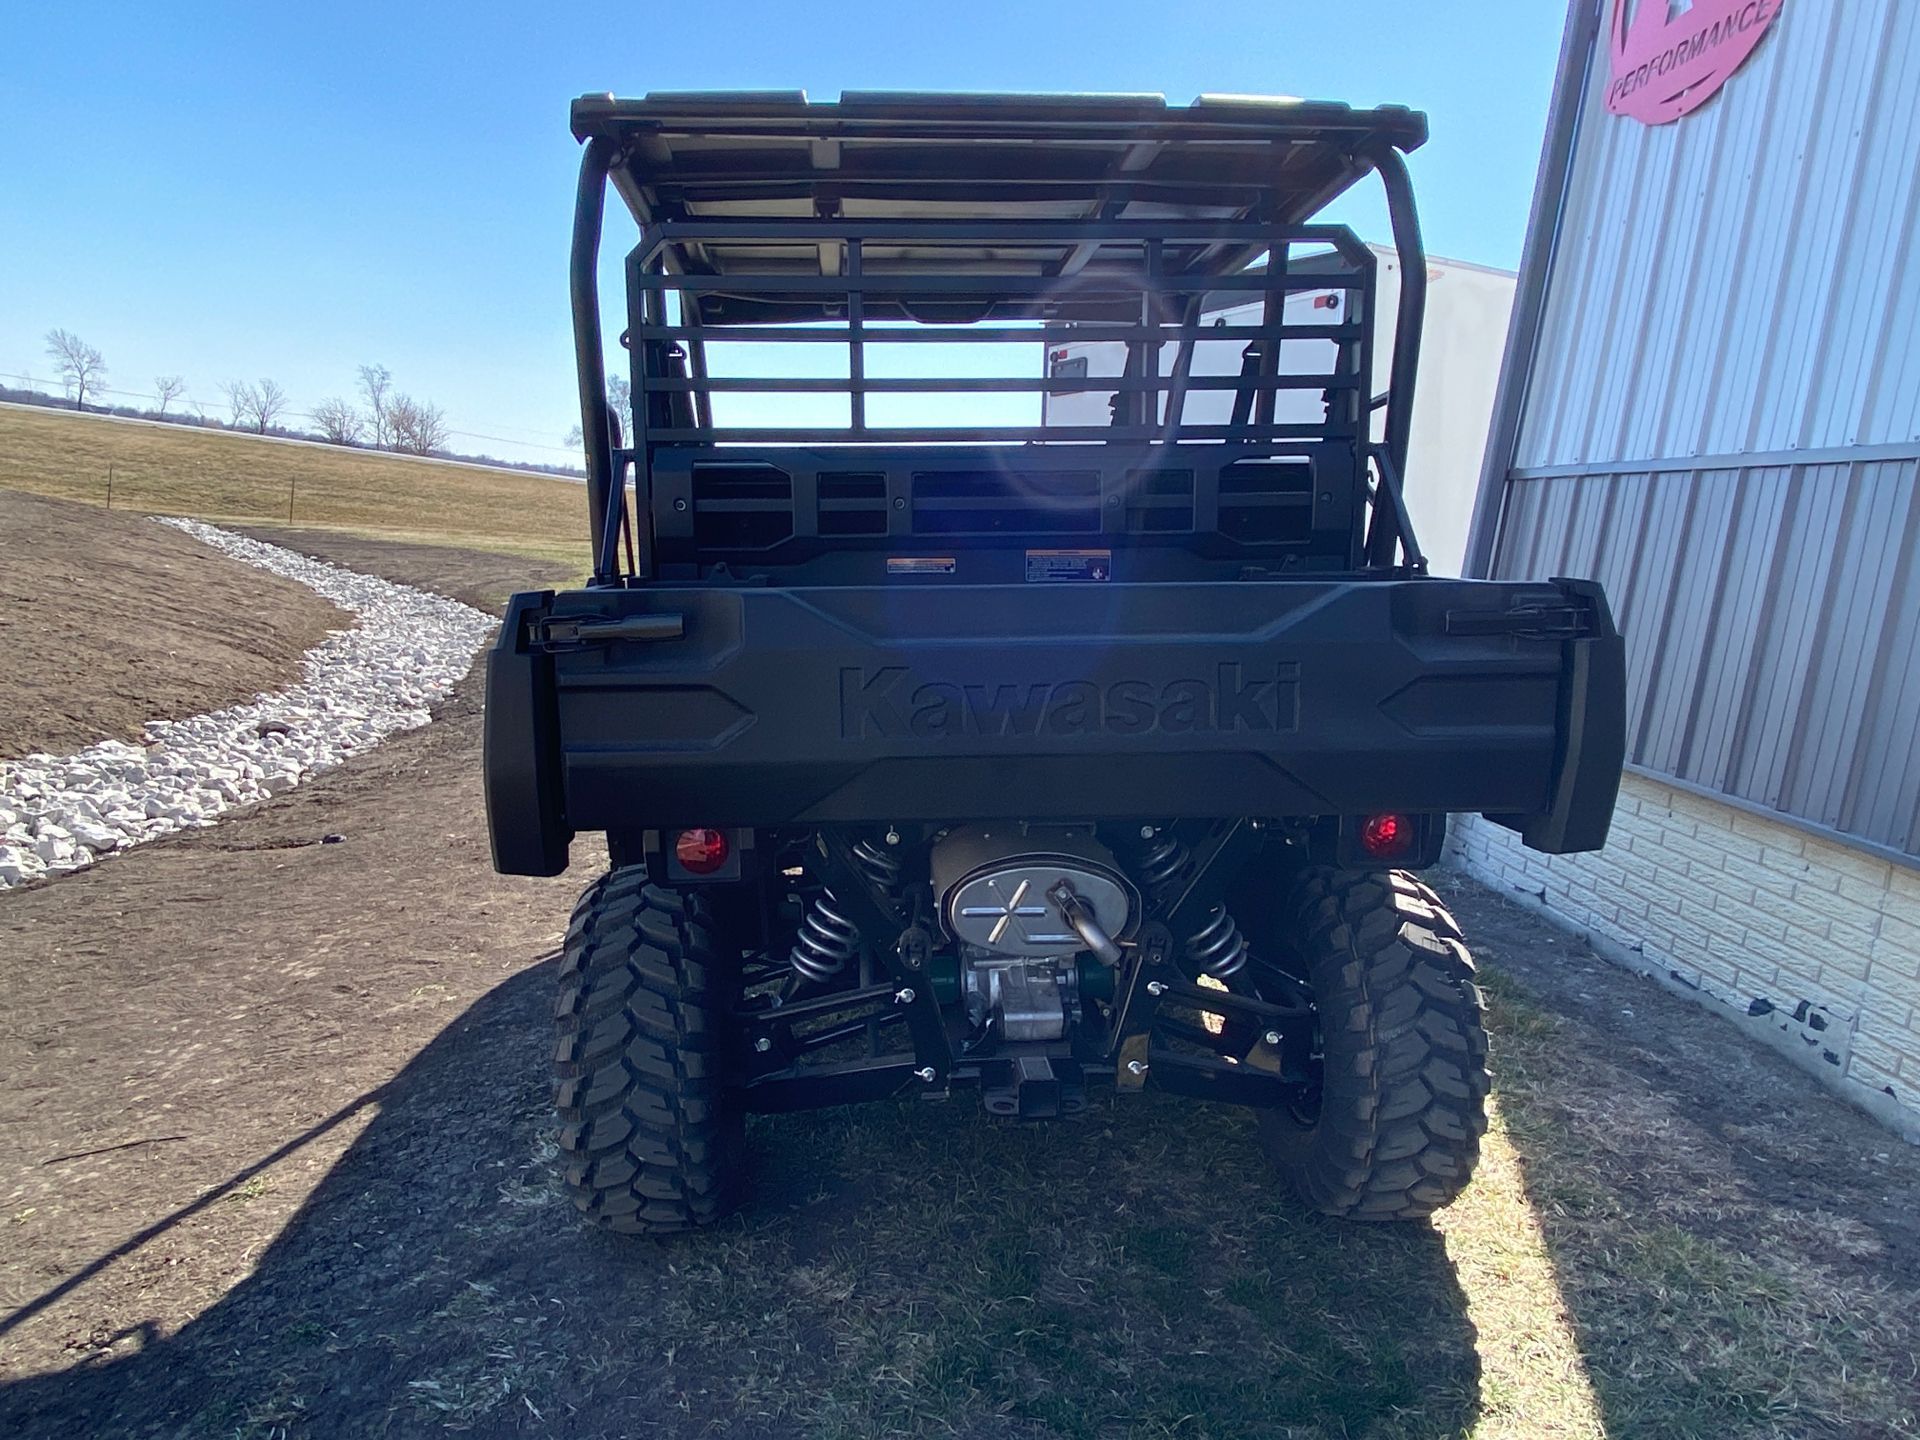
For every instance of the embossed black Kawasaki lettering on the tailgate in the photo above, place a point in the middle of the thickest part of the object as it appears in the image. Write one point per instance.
(894, 702)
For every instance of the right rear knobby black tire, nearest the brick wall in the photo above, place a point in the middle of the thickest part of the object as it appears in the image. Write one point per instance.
(1403, 1024)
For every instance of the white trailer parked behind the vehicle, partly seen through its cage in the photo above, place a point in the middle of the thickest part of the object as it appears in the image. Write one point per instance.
(1468, 310)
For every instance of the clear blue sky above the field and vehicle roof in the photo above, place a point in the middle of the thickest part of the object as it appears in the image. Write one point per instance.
(291, 191)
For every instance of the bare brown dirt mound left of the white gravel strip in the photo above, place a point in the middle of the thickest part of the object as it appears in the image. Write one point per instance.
(187, 629)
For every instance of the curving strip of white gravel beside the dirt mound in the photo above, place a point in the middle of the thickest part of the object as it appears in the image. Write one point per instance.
(360, 686)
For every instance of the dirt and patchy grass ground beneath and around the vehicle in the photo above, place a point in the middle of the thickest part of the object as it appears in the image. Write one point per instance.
(276, 1163)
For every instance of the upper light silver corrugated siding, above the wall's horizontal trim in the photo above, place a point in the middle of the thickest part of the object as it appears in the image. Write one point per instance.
(1744, 279)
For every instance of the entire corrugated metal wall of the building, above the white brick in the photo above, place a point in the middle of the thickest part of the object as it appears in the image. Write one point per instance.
(1723, 420)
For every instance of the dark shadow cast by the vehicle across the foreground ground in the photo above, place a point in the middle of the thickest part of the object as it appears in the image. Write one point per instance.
(900, 1270)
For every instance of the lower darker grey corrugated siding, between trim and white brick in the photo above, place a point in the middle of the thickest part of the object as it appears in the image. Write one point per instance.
(1773, 627)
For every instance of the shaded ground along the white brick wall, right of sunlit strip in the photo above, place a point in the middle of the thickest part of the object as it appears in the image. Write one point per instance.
(1737, 1253)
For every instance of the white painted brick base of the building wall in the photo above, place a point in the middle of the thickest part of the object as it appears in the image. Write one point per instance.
(1808, 944)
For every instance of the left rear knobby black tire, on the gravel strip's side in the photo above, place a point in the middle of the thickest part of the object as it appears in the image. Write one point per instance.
(652, 1140)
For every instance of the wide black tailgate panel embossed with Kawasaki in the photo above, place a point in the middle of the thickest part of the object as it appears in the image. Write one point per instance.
(913, 704)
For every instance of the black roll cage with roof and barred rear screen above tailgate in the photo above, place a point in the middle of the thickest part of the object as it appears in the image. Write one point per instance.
(900, 220)
